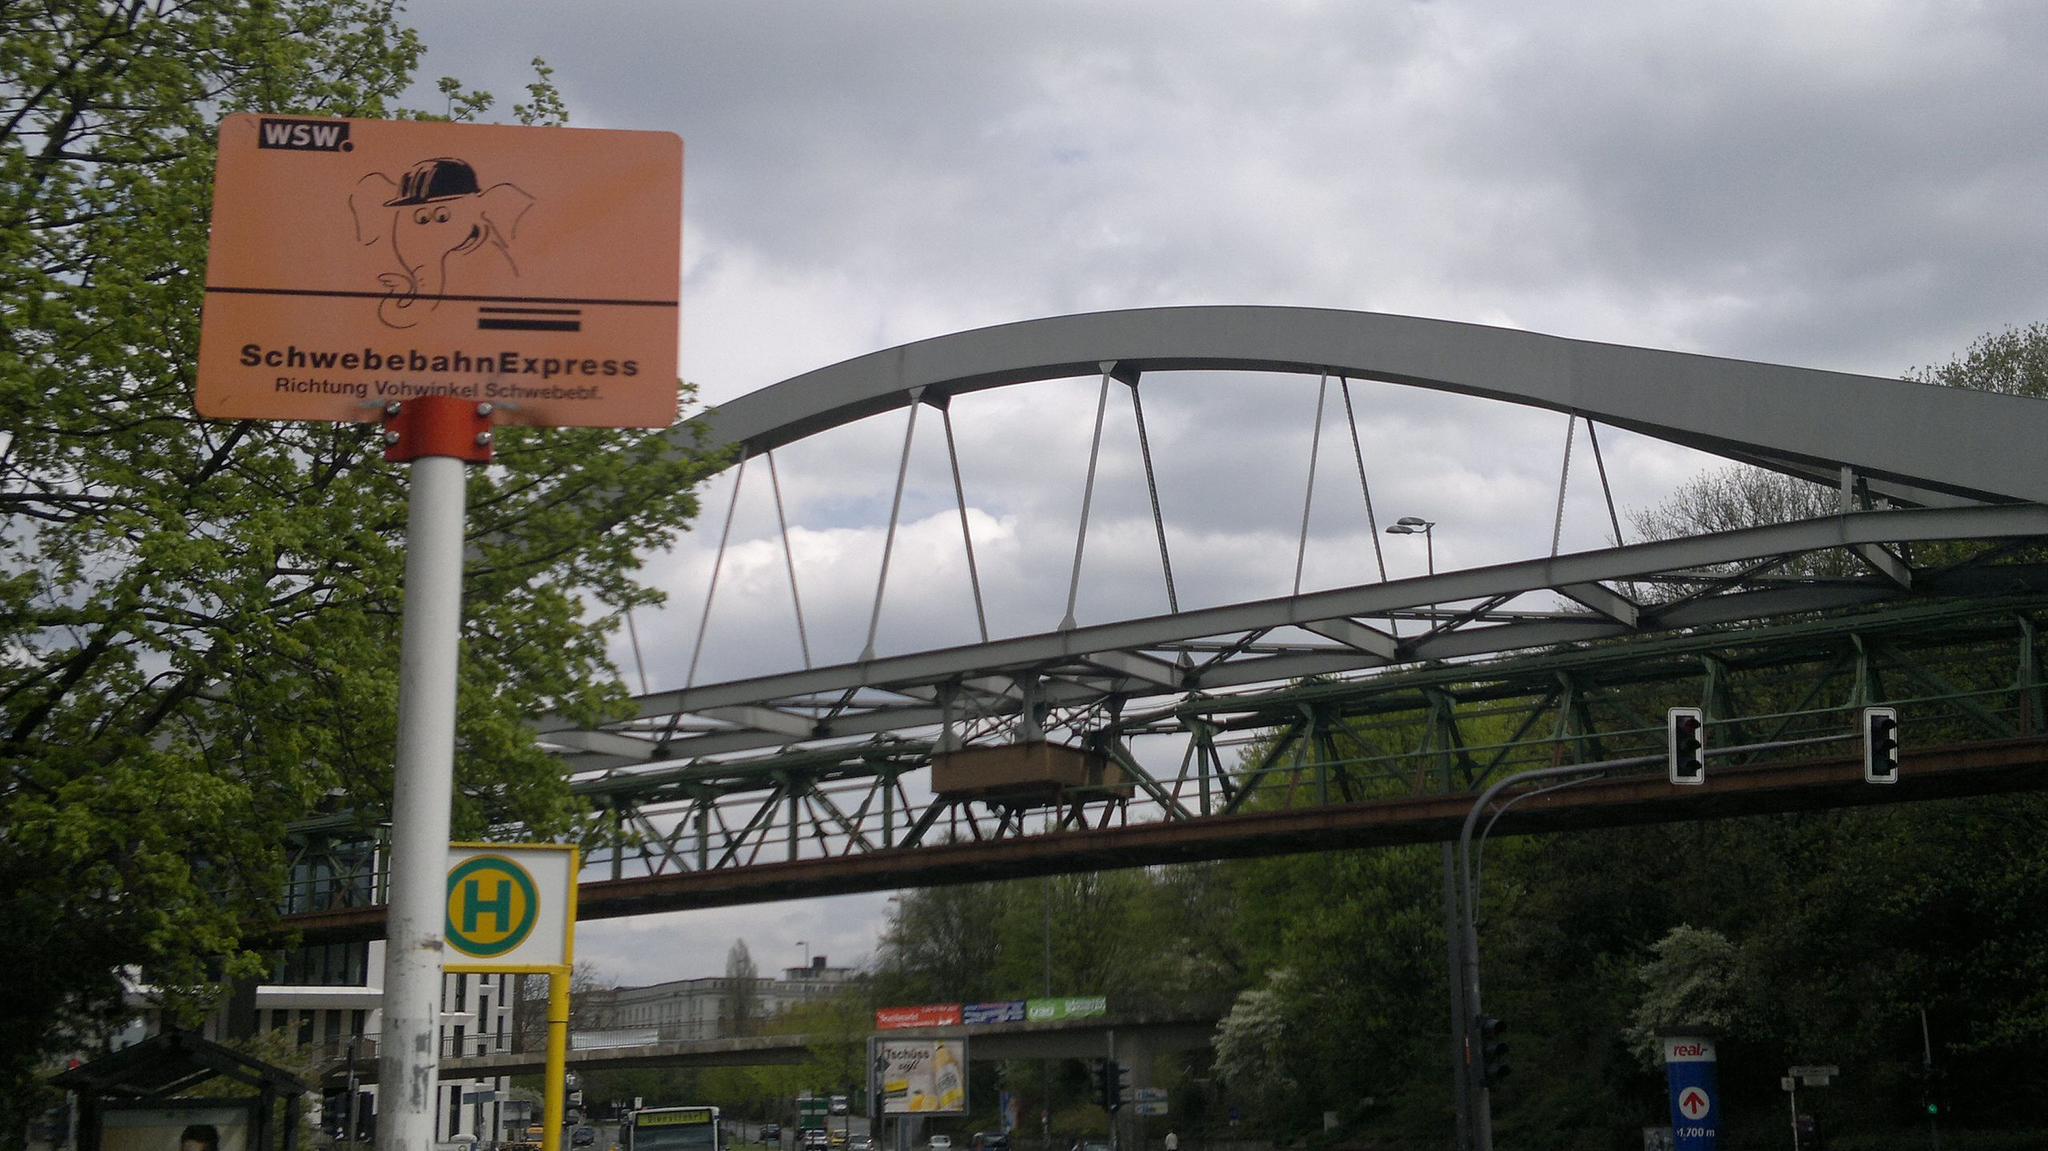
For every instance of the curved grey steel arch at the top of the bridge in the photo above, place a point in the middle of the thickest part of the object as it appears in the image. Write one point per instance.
(1916, 443)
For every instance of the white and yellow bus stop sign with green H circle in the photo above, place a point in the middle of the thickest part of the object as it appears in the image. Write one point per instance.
(511, 906)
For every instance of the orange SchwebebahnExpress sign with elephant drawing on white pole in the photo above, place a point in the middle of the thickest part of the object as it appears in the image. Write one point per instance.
(357, 263)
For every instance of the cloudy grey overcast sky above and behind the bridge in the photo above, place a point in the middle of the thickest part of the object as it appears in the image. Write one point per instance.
(1797, 181)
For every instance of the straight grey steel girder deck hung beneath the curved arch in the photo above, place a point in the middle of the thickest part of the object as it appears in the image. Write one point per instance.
(1129, 658)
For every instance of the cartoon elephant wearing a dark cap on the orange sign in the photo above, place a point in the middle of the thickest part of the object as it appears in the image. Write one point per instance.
(437, 220)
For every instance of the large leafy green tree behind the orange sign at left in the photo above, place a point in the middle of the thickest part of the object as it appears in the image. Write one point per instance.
(200, 620)
